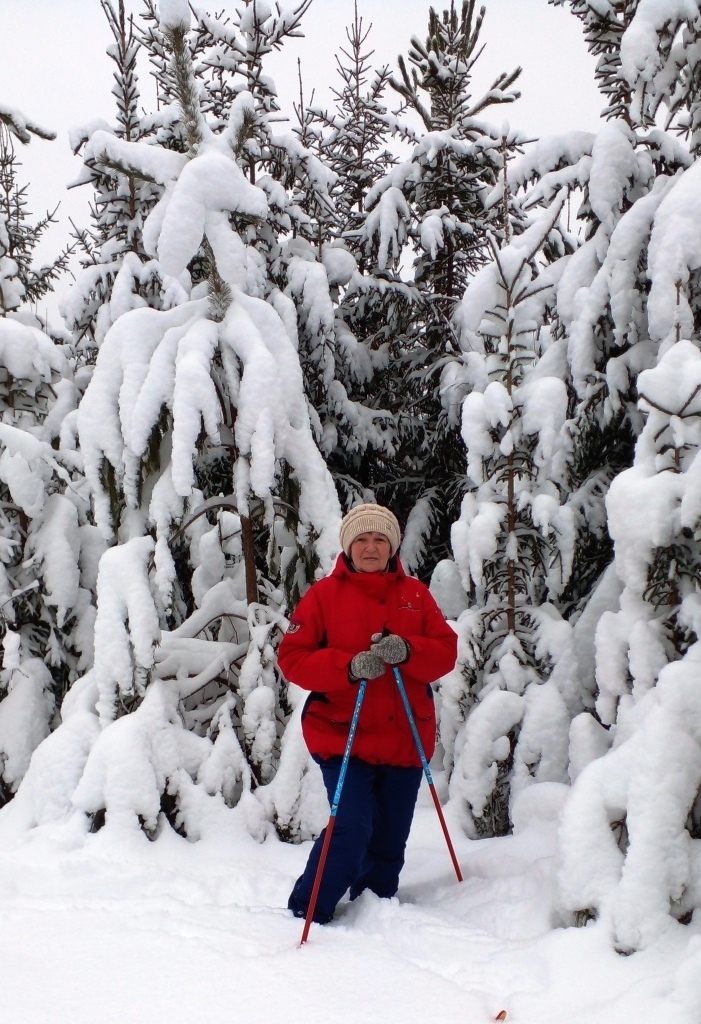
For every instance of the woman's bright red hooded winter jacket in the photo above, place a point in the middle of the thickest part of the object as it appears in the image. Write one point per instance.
(334, 622)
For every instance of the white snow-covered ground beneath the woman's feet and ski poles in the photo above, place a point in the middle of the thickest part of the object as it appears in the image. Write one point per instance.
(112, 929)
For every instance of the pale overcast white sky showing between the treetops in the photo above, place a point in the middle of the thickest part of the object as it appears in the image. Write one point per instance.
(55, 69)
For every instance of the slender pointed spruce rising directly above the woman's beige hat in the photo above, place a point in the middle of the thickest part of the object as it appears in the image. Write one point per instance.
(372, 309)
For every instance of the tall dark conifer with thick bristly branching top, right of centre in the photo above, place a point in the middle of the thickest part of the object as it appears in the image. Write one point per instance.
(432, 206)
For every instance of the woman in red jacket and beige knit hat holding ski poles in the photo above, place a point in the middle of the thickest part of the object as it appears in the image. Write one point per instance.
(357, 624)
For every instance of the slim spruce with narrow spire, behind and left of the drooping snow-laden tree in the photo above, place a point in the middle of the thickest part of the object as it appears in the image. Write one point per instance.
(117, 274)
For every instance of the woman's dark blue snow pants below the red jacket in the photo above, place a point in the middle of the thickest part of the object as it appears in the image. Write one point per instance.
(367, 849)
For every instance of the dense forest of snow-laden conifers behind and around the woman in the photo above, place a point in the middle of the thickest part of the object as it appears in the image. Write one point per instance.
(399, 297)
